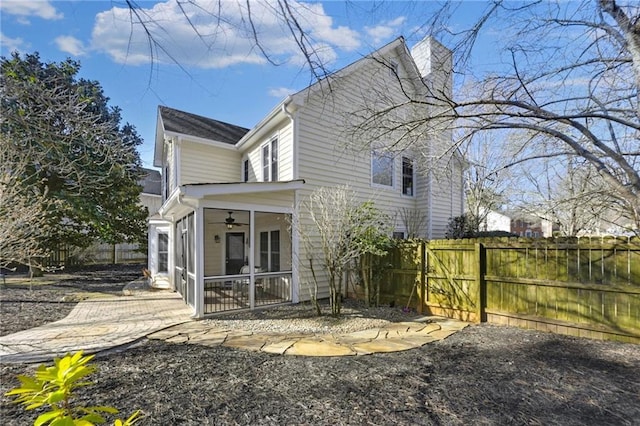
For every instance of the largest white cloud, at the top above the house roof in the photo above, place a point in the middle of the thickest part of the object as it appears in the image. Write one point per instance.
(205, 39)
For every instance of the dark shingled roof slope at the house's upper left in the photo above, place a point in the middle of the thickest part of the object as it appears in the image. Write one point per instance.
(185, 123)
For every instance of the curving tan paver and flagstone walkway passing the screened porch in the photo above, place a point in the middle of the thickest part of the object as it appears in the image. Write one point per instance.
(109, 323)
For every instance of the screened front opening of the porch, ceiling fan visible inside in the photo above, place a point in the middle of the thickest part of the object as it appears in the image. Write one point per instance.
(246, 265)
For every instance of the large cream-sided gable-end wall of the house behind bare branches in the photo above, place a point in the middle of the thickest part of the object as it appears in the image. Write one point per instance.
(332, 153)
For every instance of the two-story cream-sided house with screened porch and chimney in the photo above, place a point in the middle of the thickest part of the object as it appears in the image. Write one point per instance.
(223, 237)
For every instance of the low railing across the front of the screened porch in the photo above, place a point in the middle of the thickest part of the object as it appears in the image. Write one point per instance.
(232, 292)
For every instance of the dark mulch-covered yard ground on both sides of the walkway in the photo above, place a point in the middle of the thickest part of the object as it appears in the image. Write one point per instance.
(482, 375)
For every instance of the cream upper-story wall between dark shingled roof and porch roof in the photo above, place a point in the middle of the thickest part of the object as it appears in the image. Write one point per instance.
(201, 163)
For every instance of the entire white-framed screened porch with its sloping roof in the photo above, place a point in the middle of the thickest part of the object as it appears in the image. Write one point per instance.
(227, 246)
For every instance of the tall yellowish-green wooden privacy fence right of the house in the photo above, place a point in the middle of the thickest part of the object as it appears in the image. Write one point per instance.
(585, 287)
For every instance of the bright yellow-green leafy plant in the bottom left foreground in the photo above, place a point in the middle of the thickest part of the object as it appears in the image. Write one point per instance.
(54, 386)
